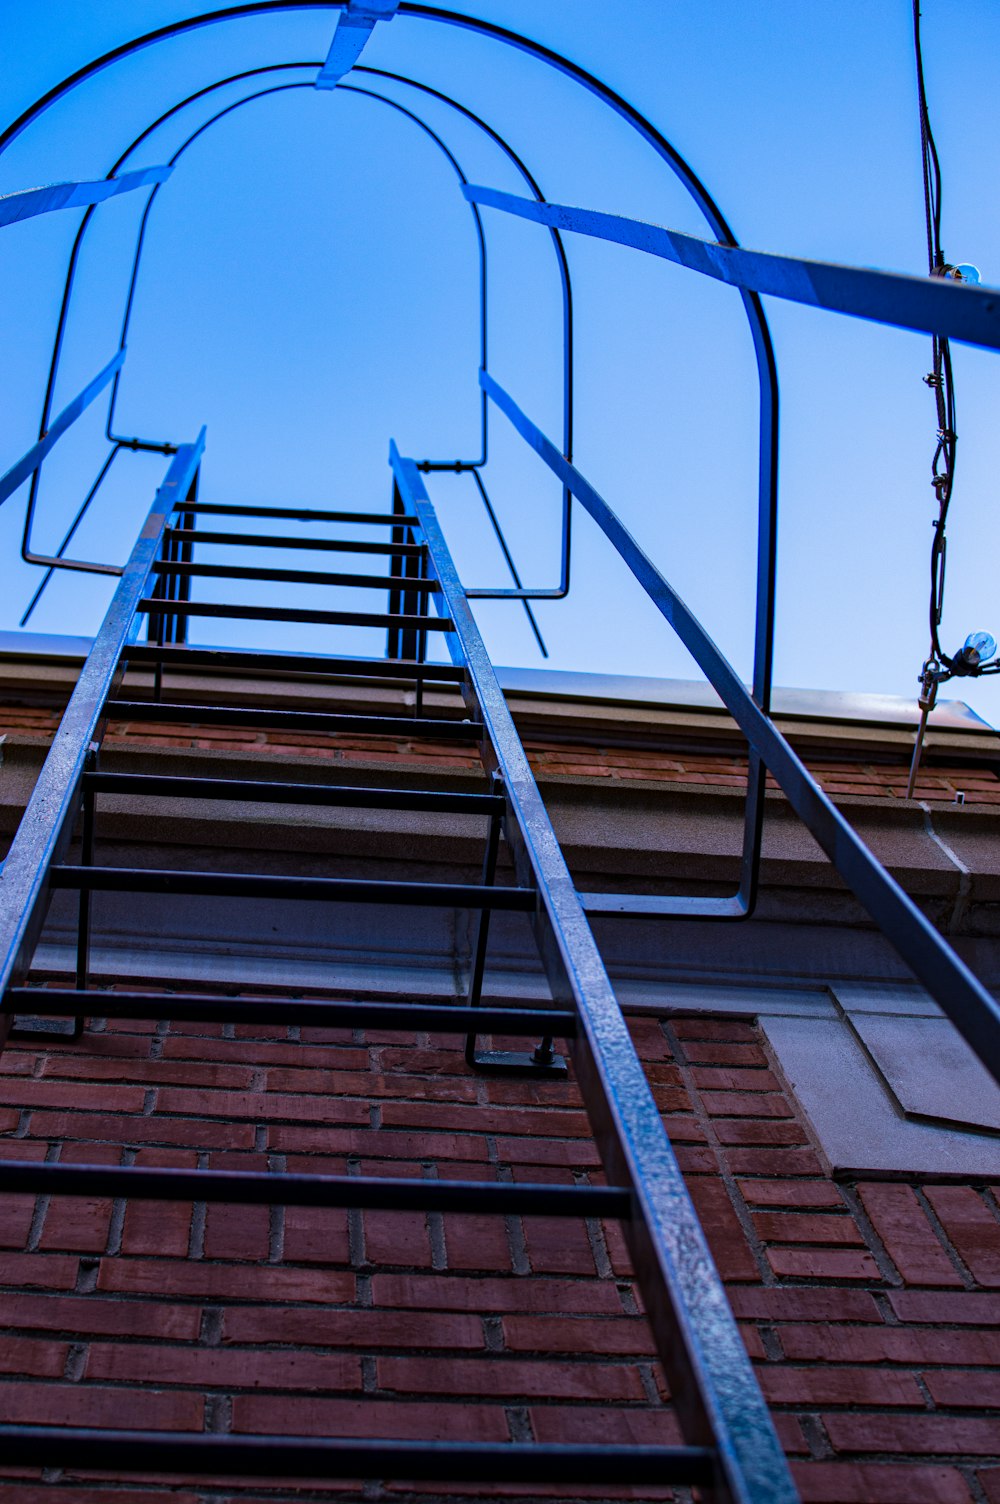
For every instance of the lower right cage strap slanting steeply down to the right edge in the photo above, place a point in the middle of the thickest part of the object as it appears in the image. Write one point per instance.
(929, 956)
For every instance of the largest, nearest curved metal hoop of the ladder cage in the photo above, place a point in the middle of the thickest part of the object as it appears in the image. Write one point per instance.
(745, 899)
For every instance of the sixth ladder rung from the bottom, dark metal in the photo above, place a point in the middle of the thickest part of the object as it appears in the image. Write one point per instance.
(408, 727)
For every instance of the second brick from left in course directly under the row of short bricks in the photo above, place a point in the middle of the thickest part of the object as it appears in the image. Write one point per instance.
(223, 1281)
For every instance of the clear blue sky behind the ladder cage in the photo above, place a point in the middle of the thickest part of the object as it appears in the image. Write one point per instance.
(311, 287)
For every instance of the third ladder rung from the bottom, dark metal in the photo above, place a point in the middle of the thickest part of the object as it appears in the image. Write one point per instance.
(207, 1008)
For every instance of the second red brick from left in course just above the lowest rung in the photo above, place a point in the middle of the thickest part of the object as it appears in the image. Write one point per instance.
(369, 1418)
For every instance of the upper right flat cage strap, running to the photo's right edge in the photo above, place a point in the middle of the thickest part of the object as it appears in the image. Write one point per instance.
(929, 305)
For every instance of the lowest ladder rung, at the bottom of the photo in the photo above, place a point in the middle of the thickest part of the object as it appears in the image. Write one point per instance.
(342, 1458)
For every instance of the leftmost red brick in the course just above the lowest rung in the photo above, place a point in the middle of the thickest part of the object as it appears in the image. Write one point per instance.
(88, 1405)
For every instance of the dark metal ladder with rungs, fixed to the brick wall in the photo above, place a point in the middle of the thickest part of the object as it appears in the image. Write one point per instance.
(730, 1449)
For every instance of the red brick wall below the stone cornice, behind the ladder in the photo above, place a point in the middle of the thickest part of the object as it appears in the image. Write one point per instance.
(871, 1311)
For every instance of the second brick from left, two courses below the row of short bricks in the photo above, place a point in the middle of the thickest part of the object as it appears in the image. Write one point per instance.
(353, 1329)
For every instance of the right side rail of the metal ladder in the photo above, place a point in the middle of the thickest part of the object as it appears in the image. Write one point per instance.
(715, 1389)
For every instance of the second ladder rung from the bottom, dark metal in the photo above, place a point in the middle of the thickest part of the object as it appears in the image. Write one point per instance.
(264, 1189)
